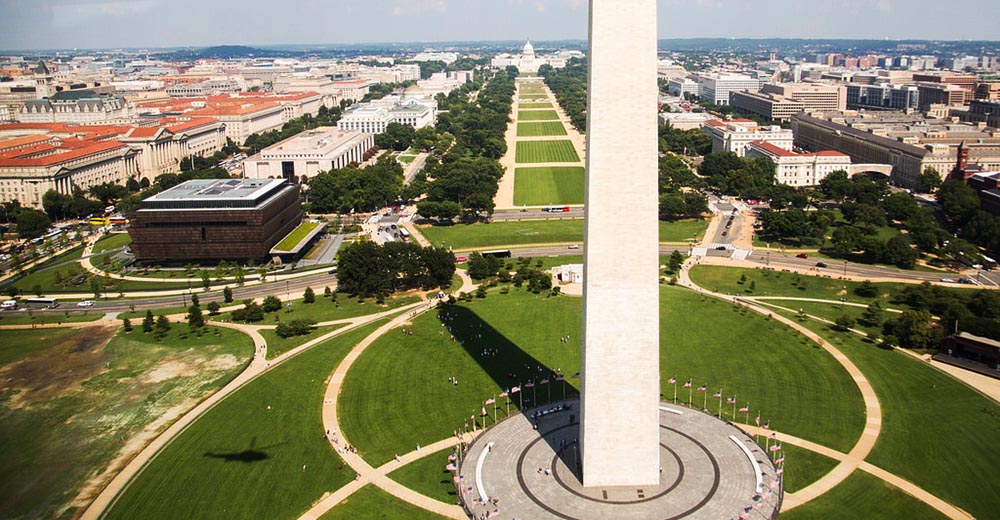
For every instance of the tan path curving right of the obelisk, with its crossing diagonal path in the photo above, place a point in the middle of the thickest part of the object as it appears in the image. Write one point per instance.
(855, 459)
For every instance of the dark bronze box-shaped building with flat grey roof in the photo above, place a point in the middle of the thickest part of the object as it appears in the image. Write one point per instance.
(206, 220)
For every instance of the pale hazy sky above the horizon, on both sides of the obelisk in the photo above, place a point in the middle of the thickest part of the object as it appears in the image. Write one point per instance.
(46, 24)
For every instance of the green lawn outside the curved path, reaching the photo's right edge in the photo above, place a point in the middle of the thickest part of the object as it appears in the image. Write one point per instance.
(936, 432)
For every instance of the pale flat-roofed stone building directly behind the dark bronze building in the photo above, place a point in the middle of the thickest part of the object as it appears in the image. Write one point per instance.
(304, 155)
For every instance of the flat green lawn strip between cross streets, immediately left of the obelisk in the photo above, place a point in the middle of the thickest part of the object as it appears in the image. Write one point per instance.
(465, 236)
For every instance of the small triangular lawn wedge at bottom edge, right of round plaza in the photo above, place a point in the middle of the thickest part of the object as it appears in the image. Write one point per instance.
(863, 496)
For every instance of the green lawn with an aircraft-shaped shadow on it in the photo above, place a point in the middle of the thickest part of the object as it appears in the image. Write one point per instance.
(259, 453)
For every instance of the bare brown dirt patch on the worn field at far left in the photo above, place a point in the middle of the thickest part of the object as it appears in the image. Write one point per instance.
(59, 369)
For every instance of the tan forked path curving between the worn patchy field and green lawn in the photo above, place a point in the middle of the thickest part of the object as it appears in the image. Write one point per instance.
(258, 365)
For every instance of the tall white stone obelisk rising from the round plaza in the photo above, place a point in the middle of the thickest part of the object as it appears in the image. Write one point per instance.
(619, 415)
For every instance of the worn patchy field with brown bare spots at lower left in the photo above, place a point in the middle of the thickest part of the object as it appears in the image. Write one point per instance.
(71, 397)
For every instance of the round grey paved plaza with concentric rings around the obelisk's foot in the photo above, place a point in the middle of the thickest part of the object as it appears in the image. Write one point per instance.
(528, 466)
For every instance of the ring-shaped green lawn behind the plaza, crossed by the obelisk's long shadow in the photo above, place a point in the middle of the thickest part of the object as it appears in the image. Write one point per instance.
(383, 415)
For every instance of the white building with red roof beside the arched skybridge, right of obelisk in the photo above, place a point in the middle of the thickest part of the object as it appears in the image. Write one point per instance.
(799, 169)
